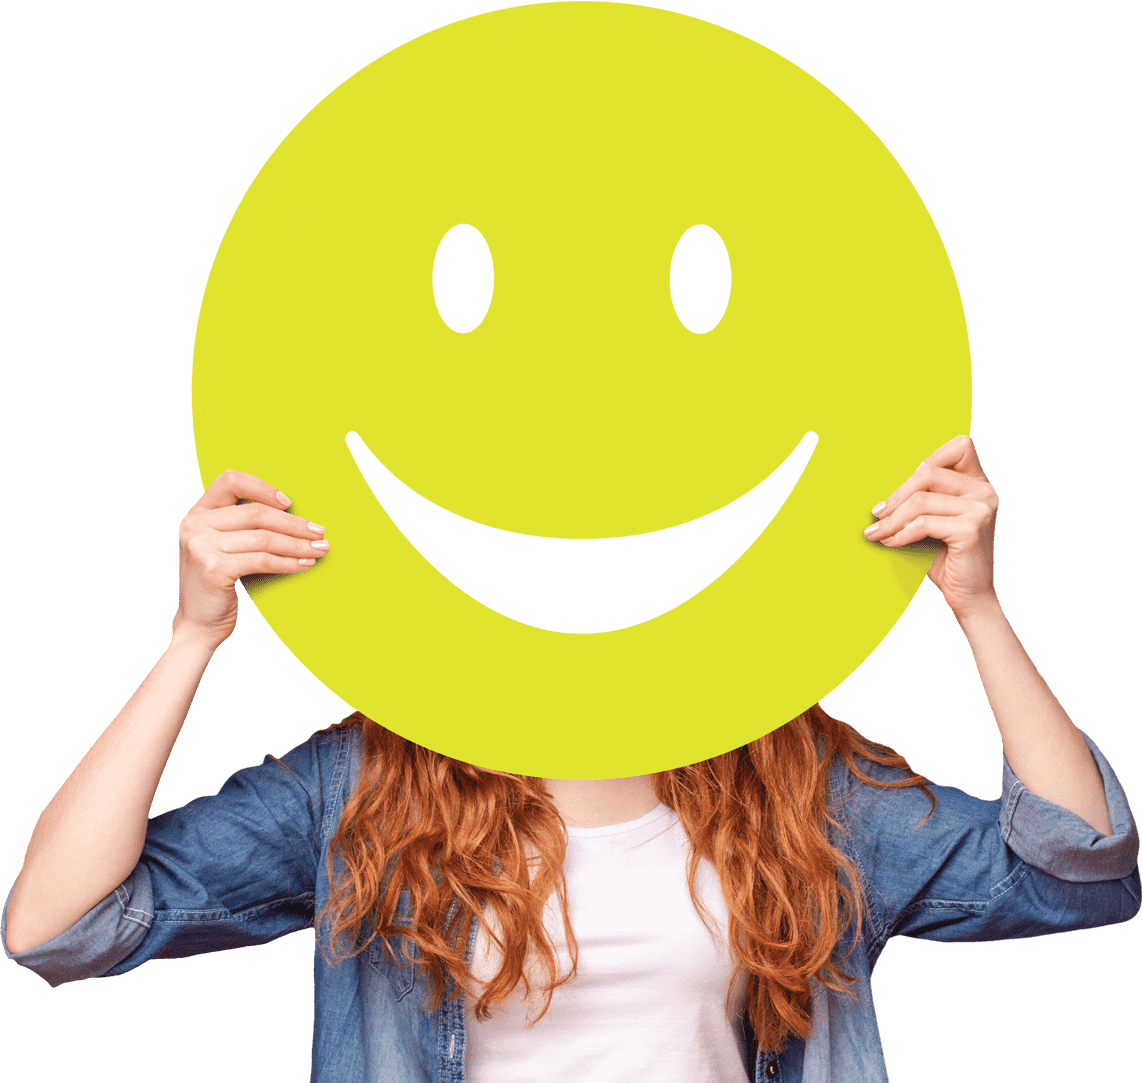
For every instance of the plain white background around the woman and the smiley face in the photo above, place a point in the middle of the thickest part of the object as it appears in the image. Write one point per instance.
(139, 139)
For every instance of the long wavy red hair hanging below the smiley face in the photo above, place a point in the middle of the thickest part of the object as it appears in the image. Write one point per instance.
(438, 828)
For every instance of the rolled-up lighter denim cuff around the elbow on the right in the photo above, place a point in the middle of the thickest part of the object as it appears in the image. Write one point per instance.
(1062, 844)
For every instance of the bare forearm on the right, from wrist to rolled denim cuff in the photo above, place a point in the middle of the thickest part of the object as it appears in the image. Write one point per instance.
(1043, 745)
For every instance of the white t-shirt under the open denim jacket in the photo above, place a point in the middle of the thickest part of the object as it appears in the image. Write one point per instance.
(651, 976)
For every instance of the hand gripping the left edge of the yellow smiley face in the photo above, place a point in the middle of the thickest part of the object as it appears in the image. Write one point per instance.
(221, 541)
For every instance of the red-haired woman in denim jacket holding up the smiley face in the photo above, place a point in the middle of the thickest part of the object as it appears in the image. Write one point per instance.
(824, 846)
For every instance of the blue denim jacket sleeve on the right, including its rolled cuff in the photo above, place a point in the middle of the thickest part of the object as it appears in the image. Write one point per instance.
(979, 871)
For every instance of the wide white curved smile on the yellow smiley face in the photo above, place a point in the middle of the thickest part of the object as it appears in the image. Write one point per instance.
(581, 585)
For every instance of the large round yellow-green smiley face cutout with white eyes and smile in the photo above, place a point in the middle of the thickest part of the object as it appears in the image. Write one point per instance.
(592, 333)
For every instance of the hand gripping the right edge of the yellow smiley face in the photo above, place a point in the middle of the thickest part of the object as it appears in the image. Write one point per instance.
(950, 499)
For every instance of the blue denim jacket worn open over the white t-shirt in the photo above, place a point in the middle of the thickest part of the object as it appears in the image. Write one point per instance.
(249, 865)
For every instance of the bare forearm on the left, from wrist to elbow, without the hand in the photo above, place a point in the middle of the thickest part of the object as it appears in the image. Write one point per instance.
(91, 836)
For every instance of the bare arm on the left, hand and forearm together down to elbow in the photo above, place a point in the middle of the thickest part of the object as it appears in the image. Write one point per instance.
(92, 833)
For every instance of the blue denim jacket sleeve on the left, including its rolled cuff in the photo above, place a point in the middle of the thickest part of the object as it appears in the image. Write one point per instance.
(235, 870)
